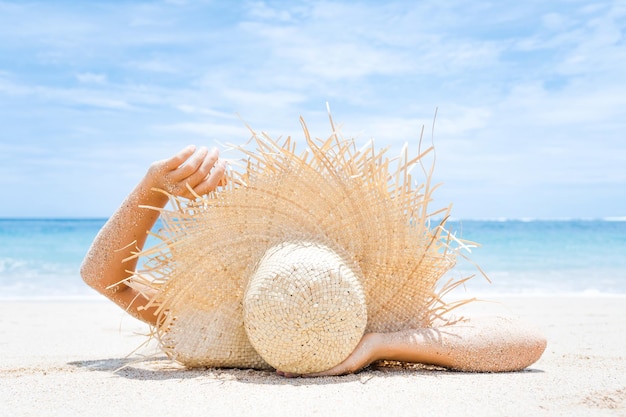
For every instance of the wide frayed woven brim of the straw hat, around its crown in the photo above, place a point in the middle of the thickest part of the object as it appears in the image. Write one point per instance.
(347, 200)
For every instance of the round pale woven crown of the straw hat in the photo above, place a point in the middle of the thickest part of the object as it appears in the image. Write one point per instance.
(304, 308)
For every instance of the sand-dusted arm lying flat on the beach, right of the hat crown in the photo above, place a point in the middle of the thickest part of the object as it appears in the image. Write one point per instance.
(487, 344)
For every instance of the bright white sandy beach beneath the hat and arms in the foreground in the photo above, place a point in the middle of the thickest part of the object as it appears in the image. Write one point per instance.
(64, 358)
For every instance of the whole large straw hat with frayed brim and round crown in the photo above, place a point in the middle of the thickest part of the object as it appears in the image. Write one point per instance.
(297, 256)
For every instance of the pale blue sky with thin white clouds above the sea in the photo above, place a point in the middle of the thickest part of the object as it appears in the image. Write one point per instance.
(531, 96)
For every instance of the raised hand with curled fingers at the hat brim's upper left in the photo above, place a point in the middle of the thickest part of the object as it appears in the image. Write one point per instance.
(199, 170)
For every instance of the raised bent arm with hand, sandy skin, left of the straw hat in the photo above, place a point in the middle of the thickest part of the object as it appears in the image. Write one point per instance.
(126, 230)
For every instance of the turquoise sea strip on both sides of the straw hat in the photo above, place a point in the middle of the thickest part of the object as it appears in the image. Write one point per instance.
(40, 258)
